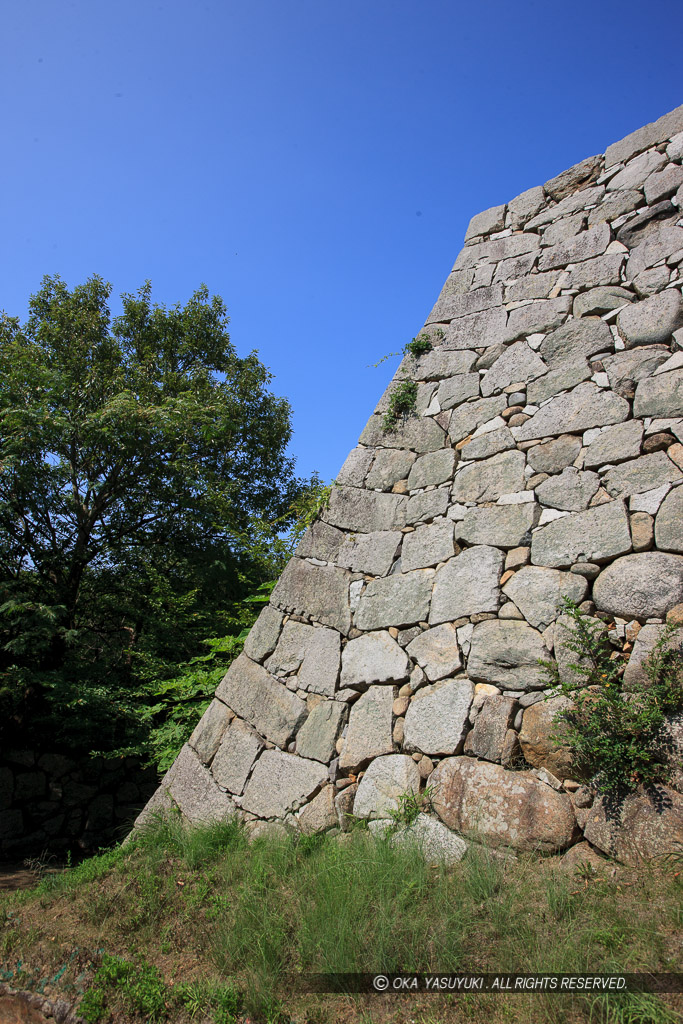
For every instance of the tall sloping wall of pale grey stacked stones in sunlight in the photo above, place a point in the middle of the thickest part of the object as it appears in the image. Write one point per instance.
(544, 460)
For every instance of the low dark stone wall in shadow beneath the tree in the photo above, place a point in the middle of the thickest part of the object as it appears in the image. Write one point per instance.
(51, 803)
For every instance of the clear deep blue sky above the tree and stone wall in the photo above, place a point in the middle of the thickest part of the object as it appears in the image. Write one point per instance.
(315, 163)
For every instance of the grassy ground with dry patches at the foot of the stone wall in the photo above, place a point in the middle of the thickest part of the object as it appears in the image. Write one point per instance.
(200, 925)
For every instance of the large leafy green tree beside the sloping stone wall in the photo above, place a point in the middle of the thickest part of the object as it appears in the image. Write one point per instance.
(137, 453)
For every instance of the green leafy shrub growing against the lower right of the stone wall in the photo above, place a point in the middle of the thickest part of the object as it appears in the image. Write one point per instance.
(617, 734)
